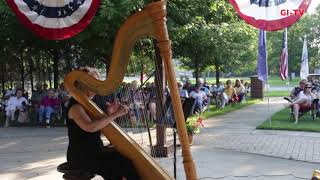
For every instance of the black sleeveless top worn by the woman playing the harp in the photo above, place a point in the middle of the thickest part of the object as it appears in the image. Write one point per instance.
(83, 146)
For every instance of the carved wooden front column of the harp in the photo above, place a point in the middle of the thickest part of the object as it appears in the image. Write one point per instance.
(164, 44)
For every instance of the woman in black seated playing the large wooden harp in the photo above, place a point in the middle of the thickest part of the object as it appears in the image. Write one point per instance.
(86, 149)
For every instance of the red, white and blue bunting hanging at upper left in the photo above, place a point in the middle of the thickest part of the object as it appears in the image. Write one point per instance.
(55, 19)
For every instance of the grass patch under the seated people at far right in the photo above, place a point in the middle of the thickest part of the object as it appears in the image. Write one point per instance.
(281, 121)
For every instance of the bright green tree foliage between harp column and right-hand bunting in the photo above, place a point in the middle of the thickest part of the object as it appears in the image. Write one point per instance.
(208, 35)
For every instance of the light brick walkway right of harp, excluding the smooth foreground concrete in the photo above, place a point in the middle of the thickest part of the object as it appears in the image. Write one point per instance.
(236, 131)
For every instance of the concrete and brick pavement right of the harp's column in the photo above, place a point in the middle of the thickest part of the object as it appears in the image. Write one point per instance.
(232, 147)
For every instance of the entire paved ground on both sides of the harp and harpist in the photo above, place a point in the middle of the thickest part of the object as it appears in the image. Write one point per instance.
(228, 147)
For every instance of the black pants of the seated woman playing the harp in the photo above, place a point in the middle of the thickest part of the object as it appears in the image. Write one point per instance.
(111, 165)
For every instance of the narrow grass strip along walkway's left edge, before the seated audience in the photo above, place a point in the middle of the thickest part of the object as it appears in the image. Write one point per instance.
(216, 112)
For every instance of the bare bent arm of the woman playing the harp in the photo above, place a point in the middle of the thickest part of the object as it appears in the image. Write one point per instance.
(82, 119)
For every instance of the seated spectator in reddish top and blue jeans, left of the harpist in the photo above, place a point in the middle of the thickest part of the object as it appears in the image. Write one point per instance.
(47, 106)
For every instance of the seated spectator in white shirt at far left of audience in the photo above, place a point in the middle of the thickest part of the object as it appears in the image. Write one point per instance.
(16, 103)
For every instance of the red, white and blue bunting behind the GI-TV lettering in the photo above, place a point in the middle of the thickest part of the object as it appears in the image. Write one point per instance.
(271, 15)
